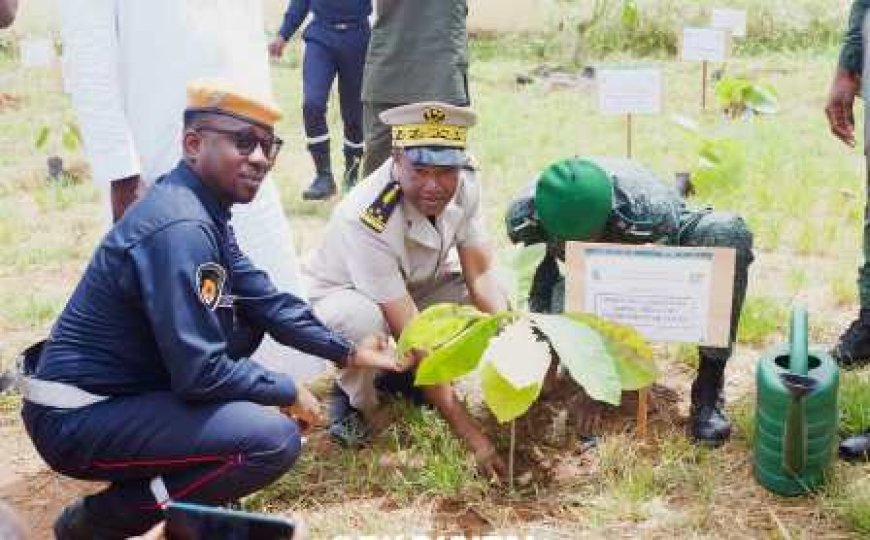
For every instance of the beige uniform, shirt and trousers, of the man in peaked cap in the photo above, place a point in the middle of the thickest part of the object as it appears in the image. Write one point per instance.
(357, 268)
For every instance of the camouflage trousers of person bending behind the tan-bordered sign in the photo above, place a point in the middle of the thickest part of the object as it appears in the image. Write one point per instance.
(701, 228)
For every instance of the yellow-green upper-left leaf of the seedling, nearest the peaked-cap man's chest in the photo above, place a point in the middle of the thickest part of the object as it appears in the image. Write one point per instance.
(435, 326)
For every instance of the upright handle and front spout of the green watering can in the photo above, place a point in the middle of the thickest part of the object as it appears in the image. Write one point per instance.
(799, 385)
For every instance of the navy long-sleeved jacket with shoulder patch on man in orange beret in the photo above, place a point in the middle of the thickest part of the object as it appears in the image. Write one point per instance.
(139, 321)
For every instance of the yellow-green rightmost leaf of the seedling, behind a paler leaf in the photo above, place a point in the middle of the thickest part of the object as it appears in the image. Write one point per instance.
(634, 360)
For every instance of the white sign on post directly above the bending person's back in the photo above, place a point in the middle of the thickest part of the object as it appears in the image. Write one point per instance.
(629, 90)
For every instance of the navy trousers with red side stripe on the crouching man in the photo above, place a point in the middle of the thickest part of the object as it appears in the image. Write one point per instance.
(209, 453)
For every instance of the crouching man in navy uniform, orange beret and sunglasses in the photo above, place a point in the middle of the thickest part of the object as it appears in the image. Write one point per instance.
(145, 380)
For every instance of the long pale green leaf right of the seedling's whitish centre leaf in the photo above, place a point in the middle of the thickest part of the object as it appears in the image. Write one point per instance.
(584, 353)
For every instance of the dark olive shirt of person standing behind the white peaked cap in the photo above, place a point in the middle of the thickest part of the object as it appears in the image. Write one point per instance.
(418, 52)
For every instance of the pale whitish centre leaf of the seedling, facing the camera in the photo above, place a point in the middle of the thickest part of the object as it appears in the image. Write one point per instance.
(518, 355)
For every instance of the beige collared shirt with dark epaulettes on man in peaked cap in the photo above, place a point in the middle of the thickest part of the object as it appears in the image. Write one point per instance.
(410, 253)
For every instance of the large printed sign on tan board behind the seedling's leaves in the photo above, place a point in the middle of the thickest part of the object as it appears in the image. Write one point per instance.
(669, 294)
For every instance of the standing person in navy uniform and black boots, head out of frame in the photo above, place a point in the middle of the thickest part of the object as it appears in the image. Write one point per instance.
(335, 43)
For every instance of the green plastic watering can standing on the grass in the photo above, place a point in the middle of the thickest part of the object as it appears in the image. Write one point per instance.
(796, 413)
